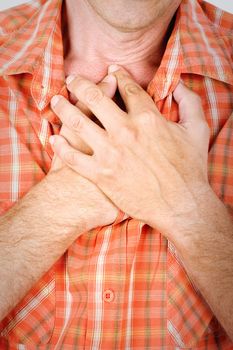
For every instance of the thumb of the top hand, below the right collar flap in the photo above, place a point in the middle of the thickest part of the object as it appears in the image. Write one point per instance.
(190, 106)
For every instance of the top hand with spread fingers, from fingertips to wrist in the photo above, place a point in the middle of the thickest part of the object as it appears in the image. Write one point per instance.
(149, 167)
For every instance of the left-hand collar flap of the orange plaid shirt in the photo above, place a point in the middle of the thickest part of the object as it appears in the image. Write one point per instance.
(36, 47)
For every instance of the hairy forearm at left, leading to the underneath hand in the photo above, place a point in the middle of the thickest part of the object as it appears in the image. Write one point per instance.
(34, 234)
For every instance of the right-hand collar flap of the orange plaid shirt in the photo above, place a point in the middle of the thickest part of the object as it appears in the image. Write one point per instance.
(195, 46)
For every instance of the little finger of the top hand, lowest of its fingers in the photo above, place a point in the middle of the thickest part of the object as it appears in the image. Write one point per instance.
(81, 163)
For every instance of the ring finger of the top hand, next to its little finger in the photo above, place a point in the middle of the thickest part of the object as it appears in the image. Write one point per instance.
(76, 121)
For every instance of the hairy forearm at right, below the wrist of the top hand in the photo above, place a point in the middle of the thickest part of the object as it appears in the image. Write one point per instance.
(206, 250)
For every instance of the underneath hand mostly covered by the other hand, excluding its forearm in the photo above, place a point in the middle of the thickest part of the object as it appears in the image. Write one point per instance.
(89, 194)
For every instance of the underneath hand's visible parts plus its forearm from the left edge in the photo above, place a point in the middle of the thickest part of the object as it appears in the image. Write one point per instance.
(37, 231)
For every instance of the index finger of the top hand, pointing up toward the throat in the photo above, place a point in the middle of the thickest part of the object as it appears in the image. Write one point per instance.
(136, 99)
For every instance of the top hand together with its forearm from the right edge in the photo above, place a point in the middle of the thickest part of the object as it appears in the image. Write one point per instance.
(140, 141)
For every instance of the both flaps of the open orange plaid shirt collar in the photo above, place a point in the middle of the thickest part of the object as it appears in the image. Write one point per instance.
(194, 47)
